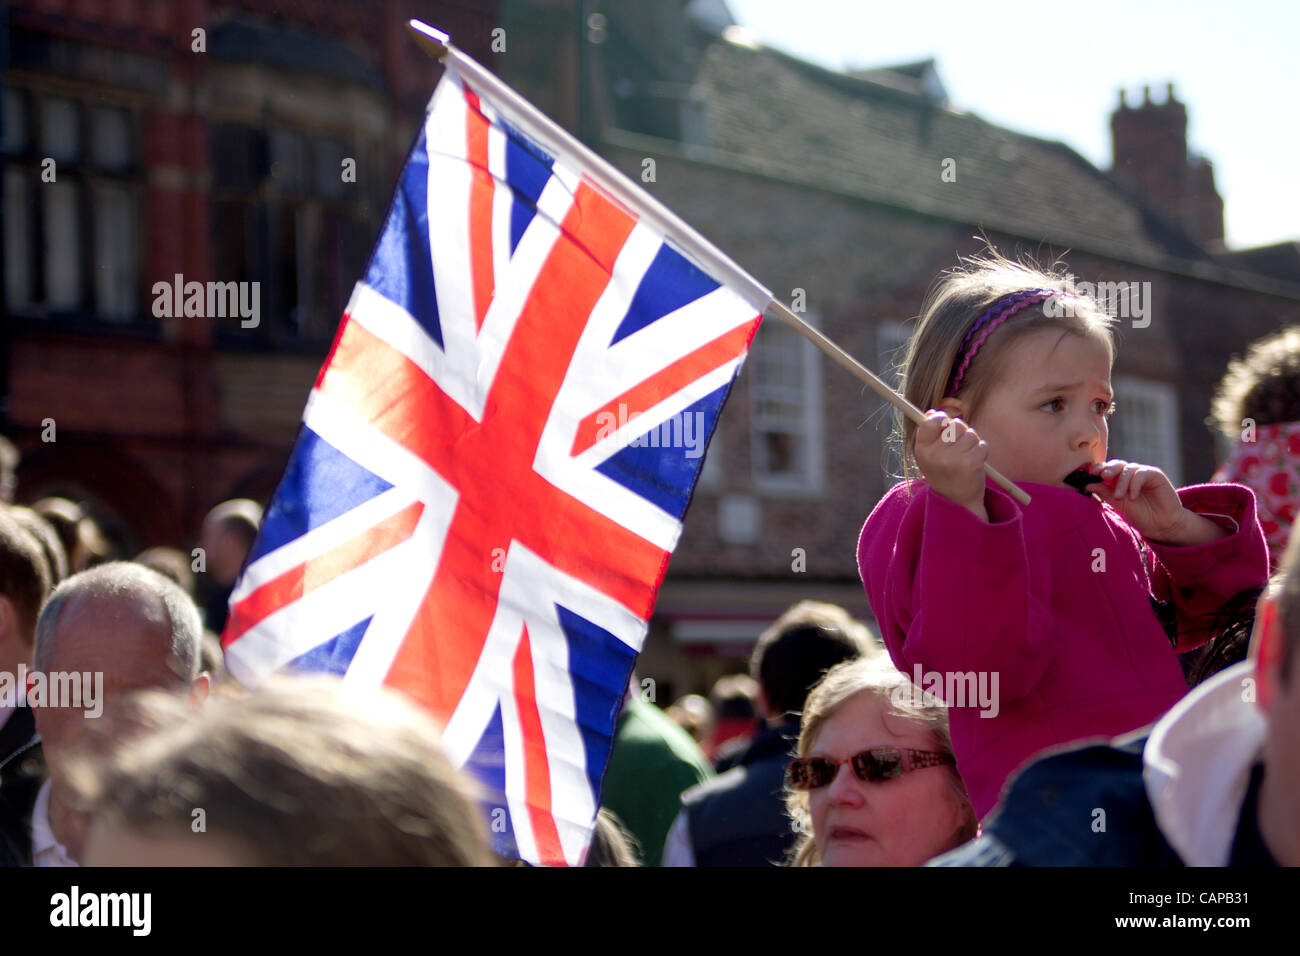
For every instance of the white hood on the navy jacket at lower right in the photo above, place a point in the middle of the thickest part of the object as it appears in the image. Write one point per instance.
(1198, 763)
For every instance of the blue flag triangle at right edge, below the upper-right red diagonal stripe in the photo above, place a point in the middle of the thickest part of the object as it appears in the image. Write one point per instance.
(666, 475)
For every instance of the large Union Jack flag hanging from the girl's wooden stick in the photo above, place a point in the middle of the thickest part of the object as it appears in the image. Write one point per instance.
(476, 511)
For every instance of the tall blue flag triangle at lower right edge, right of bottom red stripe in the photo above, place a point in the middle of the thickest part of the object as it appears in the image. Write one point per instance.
(600, 668)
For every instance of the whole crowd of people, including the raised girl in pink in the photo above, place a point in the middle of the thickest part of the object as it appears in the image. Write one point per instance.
(1141, 644)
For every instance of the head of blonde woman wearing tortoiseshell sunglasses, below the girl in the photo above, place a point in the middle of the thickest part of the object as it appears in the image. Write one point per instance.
(876, 784)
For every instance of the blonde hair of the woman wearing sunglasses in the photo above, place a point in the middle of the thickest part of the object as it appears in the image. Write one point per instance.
(902, 700)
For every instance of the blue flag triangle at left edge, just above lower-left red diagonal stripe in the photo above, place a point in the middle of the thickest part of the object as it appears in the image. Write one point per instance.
(320, 485)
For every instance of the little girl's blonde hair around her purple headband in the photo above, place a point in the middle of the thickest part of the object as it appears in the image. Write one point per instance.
(952, 306)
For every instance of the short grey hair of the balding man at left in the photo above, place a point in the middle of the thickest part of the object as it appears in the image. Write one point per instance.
(123, 579)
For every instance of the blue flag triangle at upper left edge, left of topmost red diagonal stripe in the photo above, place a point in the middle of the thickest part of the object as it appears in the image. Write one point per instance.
(401, 269)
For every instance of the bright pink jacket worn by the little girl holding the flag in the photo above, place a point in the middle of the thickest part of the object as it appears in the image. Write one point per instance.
(1077, 651)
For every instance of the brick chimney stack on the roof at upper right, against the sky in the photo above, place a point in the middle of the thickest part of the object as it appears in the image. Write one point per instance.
(1150, 146)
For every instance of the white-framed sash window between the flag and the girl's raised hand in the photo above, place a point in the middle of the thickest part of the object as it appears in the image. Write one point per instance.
(786, 401)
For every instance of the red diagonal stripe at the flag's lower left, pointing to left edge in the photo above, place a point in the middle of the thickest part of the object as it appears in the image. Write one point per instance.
(320, 572)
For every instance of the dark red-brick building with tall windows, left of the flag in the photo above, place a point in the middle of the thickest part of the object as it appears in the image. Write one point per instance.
(207, 140)
